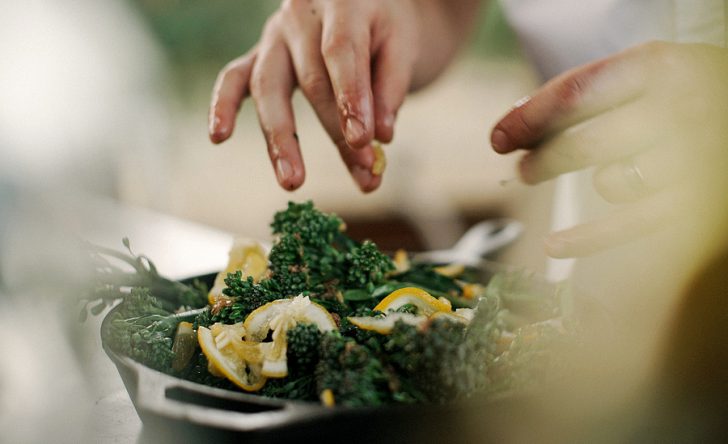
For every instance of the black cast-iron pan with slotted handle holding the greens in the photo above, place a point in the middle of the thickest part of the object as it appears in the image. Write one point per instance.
(176, 410)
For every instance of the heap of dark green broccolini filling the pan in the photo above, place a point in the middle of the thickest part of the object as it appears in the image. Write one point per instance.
(437, 362)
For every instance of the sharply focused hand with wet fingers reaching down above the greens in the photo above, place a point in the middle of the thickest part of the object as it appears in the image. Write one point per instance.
(354, 62)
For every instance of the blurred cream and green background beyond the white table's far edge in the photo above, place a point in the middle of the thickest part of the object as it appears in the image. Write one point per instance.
(113, 96)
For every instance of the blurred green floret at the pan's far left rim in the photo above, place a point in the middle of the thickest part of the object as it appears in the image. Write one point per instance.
(142, 329)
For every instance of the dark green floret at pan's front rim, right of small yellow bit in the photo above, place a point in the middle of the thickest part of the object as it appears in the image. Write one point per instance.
(354, 374)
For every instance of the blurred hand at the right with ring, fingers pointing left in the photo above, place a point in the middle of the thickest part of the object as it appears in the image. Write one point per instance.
(652, 121)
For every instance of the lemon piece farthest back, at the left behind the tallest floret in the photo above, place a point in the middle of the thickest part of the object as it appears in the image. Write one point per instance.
(246, 256)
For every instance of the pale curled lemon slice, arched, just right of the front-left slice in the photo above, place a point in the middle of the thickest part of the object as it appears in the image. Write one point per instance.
(280, 316)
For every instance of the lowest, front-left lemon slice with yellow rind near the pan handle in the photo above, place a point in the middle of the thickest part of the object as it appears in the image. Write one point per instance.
(232, 357)
